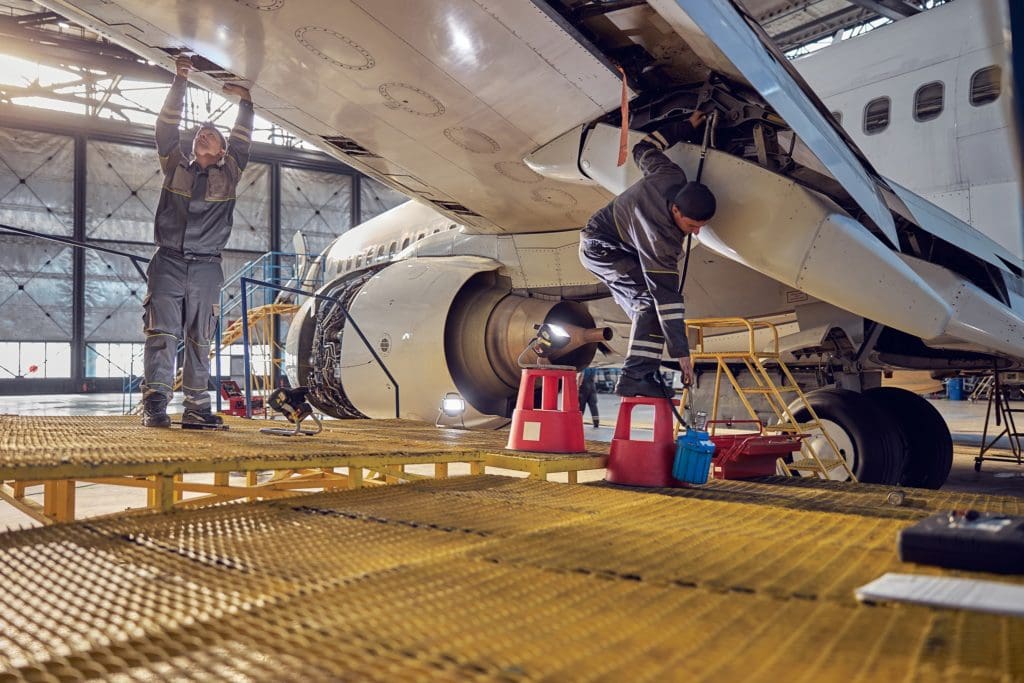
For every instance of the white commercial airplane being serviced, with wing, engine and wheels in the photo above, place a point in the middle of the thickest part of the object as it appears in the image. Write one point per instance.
(502, 119)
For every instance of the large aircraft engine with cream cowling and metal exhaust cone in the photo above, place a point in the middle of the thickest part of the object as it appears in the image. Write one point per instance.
(439, 325)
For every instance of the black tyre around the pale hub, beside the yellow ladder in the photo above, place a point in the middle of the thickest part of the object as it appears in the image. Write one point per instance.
(875, 437)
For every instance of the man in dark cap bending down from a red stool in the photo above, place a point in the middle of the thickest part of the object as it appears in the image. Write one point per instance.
(634, 245)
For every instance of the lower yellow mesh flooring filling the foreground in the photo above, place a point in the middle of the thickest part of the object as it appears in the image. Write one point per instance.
(493, 579)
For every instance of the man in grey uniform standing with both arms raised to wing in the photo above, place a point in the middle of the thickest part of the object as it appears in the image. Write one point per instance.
(193, 225)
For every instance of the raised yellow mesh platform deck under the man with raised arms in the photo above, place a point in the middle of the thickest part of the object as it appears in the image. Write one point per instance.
(32, 446)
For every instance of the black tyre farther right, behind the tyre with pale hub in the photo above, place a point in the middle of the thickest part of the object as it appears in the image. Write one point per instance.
(929, 445)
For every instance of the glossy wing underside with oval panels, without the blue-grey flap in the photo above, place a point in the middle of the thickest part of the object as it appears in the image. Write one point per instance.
(441, 101)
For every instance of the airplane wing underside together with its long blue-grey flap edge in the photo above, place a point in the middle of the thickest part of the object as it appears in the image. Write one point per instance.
(444, 101)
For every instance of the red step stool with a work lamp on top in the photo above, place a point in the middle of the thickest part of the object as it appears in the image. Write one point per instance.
(548, 429)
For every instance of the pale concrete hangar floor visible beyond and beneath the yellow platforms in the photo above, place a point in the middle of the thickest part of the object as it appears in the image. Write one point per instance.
(965, 420)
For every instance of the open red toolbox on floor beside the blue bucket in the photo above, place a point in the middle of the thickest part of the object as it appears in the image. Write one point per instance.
(749, 455)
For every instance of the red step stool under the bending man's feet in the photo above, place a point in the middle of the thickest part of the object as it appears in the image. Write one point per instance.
(644, 463)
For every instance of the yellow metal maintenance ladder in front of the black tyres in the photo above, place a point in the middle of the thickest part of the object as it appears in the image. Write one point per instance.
(763, 335)
